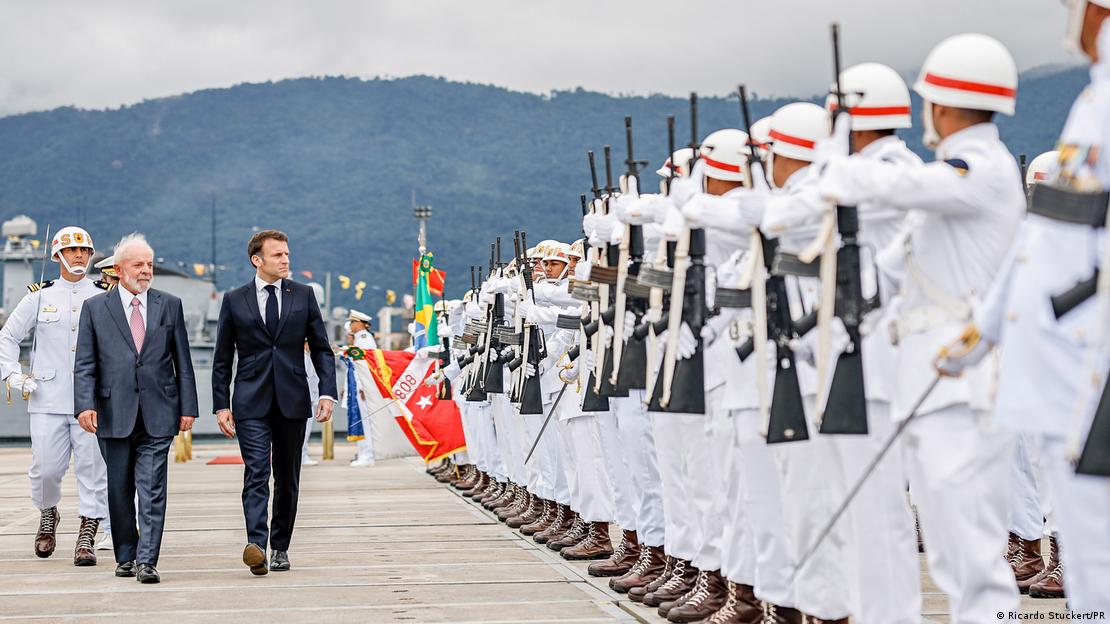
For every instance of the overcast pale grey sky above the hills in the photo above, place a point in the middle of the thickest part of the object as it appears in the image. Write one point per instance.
(104, 54)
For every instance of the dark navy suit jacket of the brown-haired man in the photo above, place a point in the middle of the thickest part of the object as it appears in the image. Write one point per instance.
(271, 368)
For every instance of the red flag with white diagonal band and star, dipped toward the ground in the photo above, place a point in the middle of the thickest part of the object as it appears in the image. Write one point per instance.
(435, 428)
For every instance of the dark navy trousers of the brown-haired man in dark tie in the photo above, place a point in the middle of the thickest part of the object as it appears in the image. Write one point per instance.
(271, 444)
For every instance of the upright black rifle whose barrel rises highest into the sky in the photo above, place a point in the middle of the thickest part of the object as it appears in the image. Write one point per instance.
(846, 409)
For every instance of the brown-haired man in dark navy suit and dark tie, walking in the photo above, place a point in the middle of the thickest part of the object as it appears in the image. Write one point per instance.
(268, 321)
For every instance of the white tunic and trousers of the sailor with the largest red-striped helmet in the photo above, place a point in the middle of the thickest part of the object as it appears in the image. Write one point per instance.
(970, 204)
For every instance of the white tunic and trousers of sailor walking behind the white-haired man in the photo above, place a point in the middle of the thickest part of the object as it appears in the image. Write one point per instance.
(54, 313)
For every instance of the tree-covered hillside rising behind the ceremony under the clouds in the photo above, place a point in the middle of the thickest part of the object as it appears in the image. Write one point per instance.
(334, 162)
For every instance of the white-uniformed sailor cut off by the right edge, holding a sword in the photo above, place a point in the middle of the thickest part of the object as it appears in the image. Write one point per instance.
(1051, 357)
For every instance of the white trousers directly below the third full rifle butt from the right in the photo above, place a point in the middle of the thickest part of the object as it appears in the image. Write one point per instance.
(683, 531)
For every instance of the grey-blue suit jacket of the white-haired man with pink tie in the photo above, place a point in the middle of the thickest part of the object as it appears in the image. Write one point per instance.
(114, 379)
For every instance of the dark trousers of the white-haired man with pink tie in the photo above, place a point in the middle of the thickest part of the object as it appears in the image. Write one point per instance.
(137, 464)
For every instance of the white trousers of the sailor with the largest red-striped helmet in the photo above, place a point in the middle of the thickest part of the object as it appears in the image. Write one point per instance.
(960, 468)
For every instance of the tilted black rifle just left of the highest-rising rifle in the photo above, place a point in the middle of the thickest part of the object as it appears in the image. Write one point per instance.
(788, 418)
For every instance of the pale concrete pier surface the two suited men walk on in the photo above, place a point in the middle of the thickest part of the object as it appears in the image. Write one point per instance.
(386, 544)
